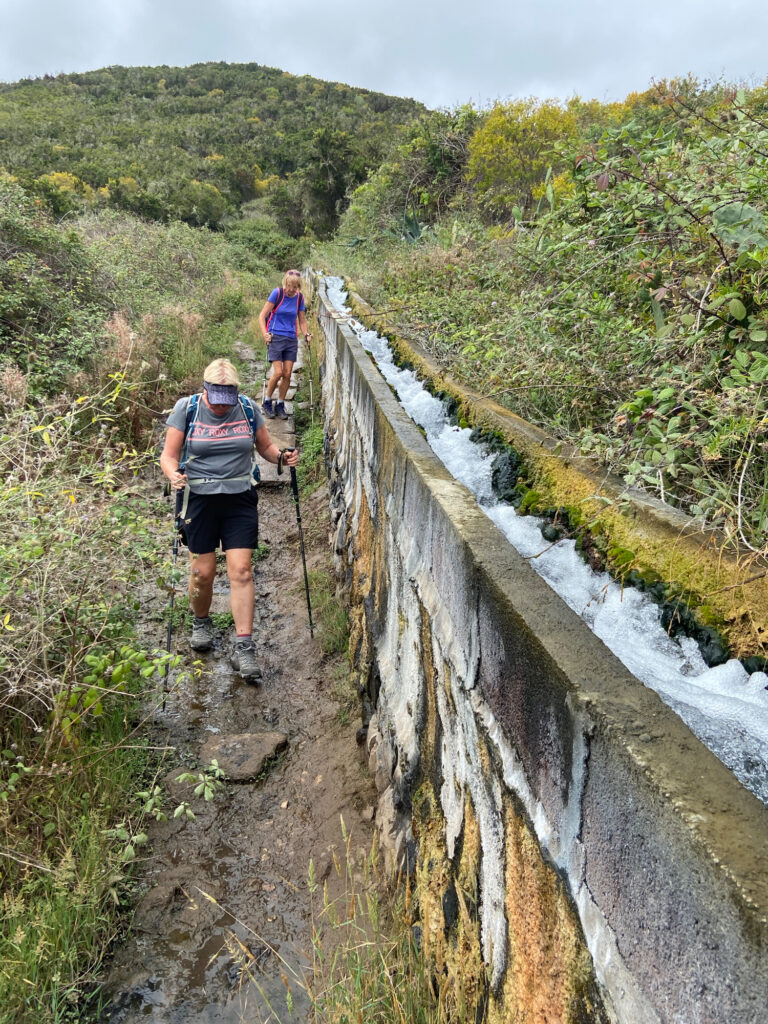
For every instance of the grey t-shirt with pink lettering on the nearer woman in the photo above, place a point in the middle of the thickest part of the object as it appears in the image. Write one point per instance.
(220, 449)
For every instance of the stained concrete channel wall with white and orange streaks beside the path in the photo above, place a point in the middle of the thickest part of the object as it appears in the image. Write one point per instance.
(581, 856)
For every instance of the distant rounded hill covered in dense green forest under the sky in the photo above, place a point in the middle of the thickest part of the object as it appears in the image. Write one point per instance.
(196, 144)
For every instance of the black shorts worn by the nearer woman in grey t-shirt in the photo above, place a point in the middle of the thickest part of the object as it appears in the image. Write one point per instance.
(232, 521)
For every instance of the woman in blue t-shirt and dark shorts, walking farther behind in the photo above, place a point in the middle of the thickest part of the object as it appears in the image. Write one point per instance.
(282, 312)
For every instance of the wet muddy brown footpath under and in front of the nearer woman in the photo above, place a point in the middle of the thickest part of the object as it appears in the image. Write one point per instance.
(223, 929)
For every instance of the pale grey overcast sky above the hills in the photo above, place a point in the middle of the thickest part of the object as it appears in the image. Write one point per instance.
(442, 54)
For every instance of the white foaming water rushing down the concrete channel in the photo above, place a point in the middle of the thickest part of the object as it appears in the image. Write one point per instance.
(726, 707)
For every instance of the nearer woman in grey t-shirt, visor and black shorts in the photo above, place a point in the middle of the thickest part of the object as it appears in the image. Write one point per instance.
(208, 458)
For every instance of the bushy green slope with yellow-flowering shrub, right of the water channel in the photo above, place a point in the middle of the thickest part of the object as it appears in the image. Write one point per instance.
(602, 270)
